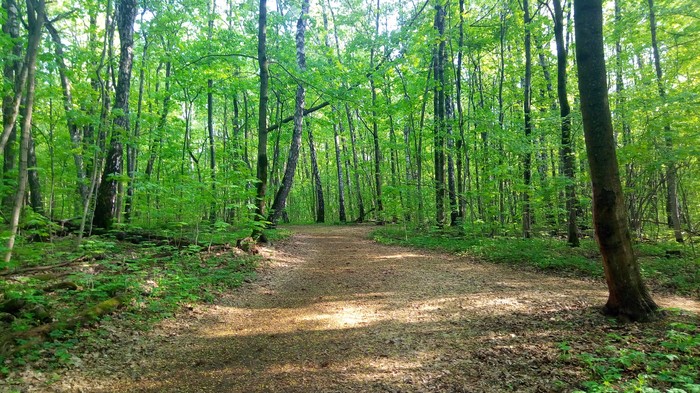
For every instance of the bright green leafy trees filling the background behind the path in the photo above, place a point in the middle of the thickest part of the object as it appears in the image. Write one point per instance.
(410, 113)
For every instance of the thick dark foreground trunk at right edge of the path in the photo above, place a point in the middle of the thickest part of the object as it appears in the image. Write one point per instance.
(628, 297)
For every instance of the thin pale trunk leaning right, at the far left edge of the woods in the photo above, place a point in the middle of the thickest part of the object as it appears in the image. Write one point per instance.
(35, 19)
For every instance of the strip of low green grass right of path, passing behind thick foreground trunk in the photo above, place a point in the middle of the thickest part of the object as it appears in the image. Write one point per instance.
(679, 275)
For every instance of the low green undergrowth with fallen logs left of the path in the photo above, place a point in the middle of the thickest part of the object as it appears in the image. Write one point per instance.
(152, 281)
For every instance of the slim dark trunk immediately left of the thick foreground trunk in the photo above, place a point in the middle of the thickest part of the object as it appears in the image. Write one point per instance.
(567, 153)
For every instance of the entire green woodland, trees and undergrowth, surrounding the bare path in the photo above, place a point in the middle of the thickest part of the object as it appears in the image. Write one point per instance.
(159, 146)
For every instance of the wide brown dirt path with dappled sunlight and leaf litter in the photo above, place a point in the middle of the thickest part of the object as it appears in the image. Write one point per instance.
(332, 311)
